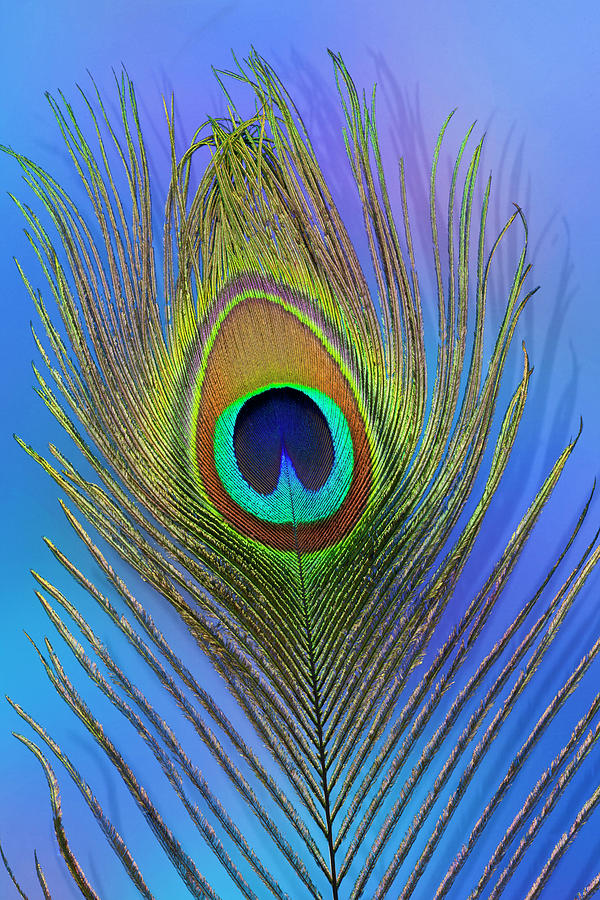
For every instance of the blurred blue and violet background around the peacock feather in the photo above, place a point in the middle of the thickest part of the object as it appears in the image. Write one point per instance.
(529, 73)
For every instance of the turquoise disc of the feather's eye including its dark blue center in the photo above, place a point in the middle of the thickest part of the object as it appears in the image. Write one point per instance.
(284, 454)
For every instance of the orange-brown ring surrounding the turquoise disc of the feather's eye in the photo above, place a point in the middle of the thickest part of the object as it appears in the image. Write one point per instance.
(261, 343)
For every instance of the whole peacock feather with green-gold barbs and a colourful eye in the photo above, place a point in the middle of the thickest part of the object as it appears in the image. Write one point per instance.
(260, 444)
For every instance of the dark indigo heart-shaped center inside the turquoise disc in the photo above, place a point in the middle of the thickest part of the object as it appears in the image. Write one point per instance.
(279, 426)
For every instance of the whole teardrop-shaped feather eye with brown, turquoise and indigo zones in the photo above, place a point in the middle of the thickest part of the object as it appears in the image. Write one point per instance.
(279, 441)
